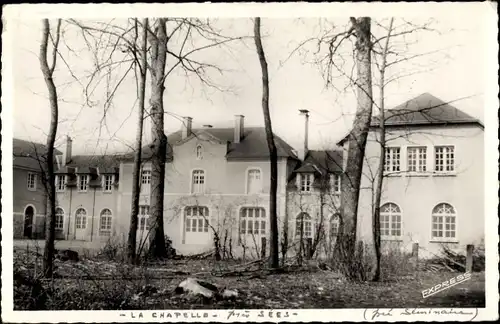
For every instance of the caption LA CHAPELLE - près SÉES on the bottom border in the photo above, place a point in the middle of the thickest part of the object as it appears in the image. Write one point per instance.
(227, 315)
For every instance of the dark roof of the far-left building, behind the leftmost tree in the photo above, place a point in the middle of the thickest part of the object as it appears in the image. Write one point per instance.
(27, 154)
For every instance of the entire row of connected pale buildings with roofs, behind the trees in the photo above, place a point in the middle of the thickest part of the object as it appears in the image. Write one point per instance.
(217, 187)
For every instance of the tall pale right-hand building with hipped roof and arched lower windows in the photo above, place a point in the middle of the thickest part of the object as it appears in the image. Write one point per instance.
(433, 188)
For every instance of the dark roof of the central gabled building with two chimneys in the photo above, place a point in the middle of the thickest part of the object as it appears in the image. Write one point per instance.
(253, 145)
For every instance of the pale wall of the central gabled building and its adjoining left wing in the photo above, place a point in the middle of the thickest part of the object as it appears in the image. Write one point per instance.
(225, 194)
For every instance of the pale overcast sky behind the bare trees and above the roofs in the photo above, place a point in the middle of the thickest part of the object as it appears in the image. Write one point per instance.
(457, 71)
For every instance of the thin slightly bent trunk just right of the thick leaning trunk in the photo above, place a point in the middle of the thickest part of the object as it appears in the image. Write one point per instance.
(380, 171)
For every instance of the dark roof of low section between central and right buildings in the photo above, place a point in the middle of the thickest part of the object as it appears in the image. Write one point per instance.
(322, 161)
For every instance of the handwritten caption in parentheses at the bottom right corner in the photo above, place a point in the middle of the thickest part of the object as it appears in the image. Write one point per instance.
(384, 314)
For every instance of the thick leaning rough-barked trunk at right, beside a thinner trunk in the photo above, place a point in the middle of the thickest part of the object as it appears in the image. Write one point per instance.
(351, 264)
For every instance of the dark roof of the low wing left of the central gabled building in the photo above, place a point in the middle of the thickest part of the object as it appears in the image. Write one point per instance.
(85, 163)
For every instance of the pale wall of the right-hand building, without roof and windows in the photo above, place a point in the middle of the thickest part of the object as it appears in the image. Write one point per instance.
(417, 195)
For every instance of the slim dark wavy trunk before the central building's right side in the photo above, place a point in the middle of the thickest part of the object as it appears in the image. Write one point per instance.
(273, 246)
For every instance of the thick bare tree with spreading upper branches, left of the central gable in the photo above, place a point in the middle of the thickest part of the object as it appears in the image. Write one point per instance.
(172, 43)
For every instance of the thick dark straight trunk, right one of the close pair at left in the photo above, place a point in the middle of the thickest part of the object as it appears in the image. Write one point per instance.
(158, 42)
